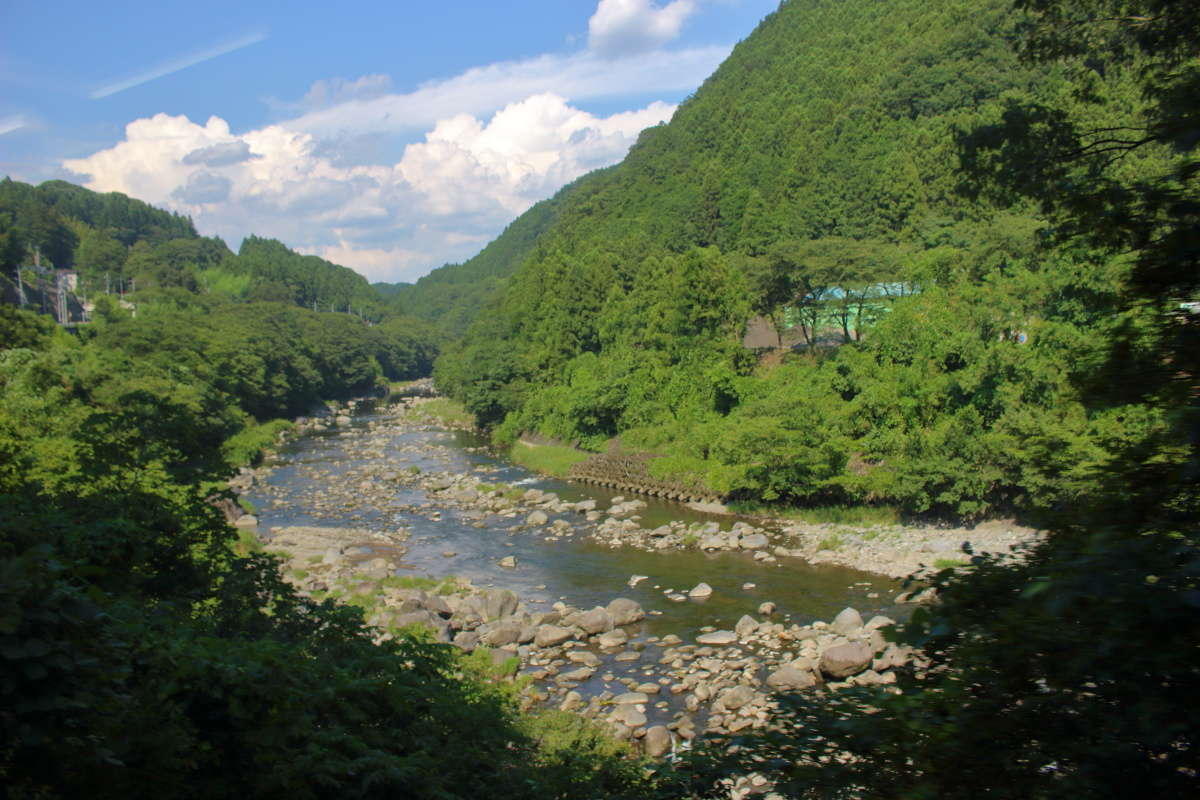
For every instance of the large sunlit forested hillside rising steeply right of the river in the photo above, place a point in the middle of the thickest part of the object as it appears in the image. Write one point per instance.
(818, 176)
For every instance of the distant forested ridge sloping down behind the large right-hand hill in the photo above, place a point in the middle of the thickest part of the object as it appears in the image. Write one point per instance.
(453, 297)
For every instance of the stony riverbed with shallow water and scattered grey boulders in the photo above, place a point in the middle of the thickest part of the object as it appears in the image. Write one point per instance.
(658, 621)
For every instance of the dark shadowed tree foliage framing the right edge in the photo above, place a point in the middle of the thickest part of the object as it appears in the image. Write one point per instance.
(1072, 675)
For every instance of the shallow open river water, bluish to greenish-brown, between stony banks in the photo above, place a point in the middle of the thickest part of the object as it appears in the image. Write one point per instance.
(577, 570)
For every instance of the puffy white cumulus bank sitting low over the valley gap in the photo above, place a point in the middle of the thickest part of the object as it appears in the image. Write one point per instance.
(441, 202)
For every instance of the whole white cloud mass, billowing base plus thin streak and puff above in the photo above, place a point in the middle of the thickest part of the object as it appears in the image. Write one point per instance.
(494, 141)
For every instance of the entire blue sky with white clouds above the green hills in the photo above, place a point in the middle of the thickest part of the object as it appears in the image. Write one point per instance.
(389, 137)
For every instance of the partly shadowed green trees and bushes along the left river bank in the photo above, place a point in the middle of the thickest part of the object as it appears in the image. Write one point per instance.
(140, 649)
